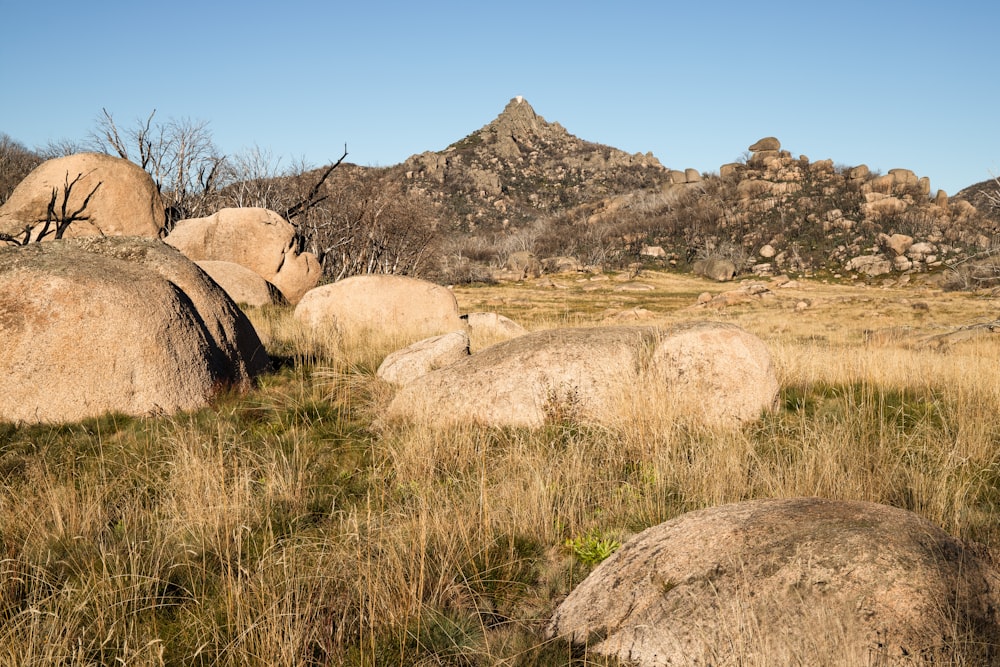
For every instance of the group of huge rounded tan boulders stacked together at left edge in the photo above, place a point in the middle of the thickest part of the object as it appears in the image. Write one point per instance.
(98, 314)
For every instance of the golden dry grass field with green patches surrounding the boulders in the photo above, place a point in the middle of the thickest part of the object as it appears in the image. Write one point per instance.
(288, 526)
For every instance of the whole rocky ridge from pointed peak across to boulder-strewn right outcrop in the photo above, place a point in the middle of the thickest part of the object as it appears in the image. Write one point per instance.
(521, 178)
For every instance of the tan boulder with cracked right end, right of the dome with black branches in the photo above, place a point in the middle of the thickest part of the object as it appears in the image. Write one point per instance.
(256, 238)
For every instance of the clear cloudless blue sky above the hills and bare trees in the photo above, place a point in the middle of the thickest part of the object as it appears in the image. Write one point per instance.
(883, 82)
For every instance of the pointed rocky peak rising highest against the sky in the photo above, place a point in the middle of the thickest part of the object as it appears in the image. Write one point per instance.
(519, 166)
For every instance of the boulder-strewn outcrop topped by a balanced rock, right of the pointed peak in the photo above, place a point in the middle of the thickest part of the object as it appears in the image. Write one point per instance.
(871, 224)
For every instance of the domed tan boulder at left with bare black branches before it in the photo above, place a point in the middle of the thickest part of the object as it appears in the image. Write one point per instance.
(108, 196)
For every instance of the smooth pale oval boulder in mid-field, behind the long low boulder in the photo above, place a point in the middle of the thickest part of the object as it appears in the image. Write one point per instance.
(394, 308)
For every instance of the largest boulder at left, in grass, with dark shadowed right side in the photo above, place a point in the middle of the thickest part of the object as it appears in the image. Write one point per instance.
(115, 324)
